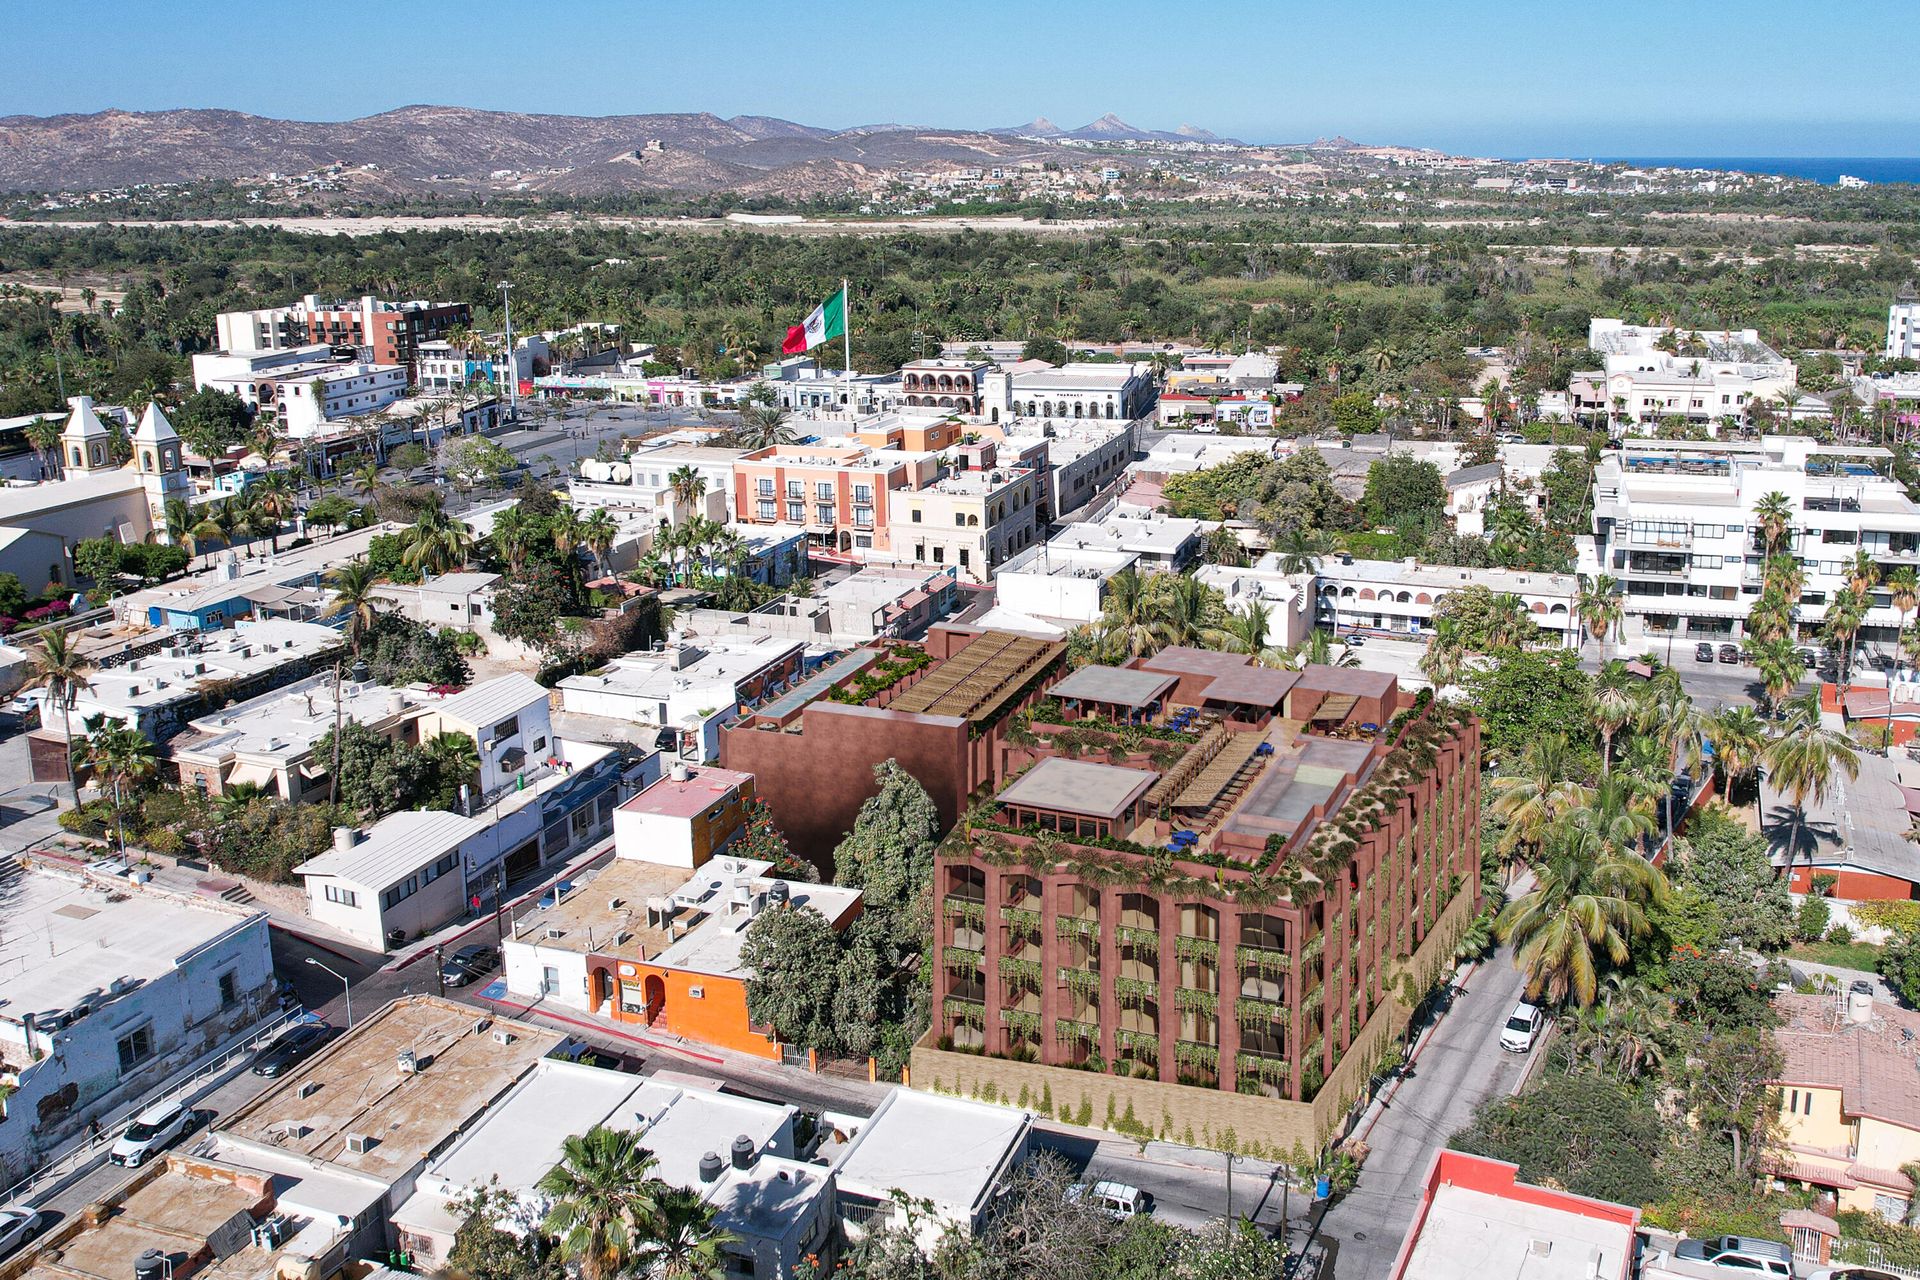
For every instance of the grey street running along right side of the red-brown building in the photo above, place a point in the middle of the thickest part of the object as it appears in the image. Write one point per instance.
(1458, 1068)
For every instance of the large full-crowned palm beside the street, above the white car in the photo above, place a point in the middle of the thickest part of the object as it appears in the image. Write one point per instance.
(1589, 905)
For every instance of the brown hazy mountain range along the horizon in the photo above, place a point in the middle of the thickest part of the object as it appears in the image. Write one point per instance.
(458, 149)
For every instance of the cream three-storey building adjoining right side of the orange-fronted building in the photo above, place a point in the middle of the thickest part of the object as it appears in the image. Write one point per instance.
(971, 519)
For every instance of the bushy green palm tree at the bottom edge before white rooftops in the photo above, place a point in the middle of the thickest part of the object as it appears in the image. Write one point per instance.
(606, 1202)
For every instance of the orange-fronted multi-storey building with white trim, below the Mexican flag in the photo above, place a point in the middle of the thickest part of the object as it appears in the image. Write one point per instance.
(838, 494)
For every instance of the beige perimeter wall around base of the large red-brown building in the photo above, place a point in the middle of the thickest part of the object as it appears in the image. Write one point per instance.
(1207, 1118)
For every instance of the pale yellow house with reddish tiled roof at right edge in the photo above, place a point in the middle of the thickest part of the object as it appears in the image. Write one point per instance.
(1850, 1101)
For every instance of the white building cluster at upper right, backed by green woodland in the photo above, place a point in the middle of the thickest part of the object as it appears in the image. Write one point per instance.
(1654, 373)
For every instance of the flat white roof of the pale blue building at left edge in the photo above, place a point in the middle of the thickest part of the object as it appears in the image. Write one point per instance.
(66, 937)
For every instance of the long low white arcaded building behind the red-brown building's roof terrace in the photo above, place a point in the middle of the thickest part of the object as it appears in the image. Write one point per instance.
(1399, 598)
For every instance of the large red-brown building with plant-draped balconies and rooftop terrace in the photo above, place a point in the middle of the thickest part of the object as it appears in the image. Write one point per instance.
(1222, 905)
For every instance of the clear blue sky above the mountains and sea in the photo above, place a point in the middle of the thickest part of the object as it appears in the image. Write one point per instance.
(1524, 78)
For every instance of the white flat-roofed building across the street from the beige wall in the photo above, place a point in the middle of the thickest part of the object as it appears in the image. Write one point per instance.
(886, 1162)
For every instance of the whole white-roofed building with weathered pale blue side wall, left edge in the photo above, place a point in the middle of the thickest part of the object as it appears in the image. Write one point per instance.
(112, 989)
